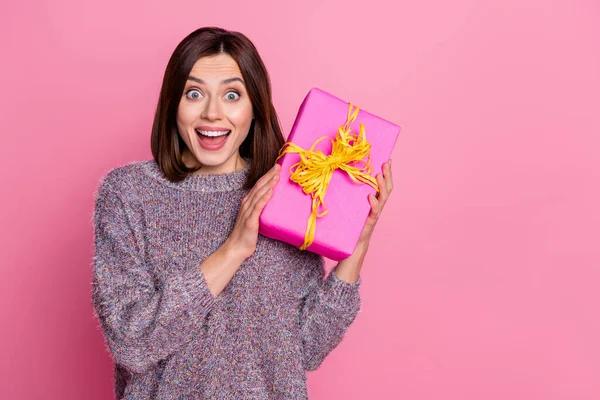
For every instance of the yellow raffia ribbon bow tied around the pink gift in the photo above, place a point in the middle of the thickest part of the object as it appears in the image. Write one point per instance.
(315, 169)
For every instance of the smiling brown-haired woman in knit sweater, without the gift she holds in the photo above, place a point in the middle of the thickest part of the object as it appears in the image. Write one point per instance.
(193, 303)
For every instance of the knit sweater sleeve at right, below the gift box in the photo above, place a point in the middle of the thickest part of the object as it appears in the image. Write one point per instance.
(327, 312)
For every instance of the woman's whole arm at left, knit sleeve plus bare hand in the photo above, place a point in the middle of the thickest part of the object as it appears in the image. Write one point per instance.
(143, 322)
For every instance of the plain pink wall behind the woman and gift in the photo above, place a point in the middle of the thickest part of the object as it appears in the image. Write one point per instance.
(482, 279)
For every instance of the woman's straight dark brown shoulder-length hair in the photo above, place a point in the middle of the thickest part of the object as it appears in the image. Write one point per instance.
(264, 139)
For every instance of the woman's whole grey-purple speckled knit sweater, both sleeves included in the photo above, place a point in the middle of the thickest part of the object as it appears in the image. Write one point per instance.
(169, 336)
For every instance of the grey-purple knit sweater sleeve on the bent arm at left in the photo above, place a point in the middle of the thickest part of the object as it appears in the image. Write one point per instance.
(143, 319)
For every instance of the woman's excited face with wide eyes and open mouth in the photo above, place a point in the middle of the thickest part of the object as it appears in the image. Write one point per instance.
(214, 115)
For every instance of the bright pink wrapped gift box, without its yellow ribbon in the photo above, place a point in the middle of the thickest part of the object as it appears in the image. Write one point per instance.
(286, 214)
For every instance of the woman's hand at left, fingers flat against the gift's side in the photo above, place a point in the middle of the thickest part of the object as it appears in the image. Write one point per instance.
(243, 238)
